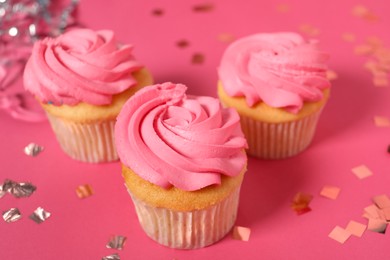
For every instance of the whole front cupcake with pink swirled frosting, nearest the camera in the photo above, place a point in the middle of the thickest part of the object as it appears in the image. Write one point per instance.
(183, 161)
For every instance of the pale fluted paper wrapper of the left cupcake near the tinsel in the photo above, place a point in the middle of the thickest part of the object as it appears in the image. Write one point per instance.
(87, 142)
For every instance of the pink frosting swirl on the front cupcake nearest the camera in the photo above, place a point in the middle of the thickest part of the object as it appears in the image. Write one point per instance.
(169, 138)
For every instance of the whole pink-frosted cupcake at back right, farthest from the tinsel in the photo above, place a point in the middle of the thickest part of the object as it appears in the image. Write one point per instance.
(277, 82)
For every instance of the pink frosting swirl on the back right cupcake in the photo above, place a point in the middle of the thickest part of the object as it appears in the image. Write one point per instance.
(281, 69)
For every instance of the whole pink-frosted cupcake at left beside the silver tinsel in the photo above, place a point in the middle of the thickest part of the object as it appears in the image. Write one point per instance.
(82, 78)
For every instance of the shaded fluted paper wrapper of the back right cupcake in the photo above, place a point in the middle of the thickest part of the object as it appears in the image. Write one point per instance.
(279, 140)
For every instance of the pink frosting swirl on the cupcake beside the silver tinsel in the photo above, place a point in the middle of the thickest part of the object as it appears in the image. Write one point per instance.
(80, 66)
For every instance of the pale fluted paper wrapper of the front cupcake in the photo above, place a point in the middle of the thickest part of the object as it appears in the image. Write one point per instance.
(188, 229)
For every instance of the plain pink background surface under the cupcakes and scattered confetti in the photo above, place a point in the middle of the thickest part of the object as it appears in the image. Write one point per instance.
(346, 137)
